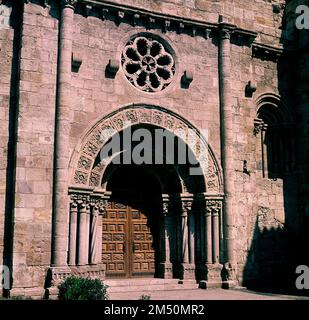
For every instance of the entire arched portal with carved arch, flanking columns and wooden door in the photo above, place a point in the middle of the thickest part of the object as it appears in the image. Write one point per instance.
(177, 204)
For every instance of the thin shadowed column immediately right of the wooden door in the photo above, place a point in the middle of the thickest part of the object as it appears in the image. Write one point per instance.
(166, 270)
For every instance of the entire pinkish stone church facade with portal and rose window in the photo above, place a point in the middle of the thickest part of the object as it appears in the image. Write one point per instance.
(227, 80)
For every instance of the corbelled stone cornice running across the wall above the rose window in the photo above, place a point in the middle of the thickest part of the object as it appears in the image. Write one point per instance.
(136, 16)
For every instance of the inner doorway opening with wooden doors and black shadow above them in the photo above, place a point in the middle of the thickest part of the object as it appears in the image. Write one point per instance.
(131, 224)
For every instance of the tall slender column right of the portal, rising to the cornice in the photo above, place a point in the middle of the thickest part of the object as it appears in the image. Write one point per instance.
(227, 131)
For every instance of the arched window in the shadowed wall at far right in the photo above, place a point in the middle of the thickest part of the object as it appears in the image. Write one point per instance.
(273, 127)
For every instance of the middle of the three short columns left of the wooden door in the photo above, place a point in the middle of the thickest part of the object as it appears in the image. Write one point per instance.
(83, 234)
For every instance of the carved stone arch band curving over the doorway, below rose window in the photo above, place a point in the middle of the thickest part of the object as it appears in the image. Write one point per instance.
(87, 172)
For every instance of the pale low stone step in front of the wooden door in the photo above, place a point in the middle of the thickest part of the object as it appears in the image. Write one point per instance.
(135, 285)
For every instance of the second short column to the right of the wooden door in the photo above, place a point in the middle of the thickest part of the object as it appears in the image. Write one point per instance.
(187, 269)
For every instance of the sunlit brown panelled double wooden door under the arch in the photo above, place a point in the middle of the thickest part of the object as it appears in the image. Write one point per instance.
(128, 248)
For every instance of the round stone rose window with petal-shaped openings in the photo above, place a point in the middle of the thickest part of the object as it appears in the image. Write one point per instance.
(147, 64)
